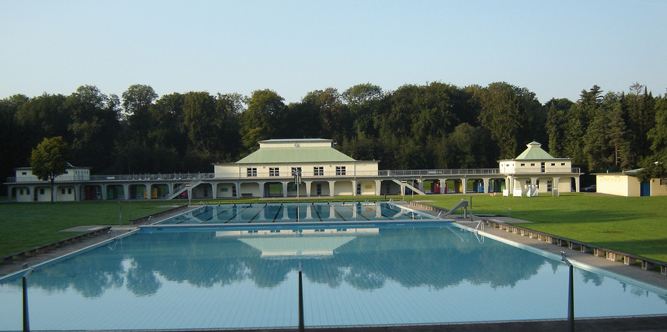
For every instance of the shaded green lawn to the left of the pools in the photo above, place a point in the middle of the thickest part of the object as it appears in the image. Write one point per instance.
(28, 225)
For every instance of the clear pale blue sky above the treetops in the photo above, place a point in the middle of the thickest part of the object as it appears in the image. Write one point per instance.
(554, 48)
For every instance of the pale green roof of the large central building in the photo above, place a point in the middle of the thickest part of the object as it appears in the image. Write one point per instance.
(295, 155)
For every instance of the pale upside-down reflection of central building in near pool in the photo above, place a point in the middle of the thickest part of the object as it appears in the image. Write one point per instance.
(301, 243)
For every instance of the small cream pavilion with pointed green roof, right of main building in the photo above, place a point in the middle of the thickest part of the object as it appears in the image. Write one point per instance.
(535, 171)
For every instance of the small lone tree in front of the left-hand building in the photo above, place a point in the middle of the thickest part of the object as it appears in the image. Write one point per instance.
(48, 160)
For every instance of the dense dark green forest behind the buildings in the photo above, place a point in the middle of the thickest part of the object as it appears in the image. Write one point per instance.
(435, 125)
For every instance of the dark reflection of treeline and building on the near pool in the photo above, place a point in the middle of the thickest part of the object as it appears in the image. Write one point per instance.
(364, 258)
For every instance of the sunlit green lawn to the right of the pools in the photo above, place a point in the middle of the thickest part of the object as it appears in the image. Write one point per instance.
(635, 225)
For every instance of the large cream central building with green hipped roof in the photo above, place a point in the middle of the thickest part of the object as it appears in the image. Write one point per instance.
(325, 171)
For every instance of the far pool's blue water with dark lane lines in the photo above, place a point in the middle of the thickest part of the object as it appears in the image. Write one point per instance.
(296, 212)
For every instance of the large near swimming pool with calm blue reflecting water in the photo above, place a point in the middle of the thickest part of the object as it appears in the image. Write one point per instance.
(366, 273)
